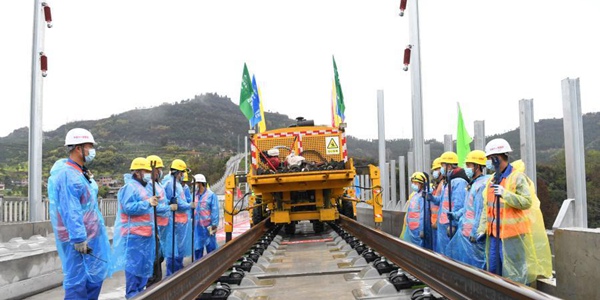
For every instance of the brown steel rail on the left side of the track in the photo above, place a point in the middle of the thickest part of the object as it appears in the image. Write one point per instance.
(194, 279)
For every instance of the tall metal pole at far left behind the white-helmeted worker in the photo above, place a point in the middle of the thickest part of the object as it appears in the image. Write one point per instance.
(35, 122)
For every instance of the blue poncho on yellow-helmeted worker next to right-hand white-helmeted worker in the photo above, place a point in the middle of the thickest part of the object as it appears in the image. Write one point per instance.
(460, 246)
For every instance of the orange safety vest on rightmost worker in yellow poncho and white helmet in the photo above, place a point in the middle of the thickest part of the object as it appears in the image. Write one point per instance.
(513, 222)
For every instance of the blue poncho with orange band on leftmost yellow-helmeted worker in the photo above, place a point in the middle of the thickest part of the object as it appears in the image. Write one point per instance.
(133, 240)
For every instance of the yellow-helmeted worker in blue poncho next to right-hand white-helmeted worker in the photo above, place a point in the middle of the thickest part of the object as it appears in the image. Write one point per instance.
(464, 245)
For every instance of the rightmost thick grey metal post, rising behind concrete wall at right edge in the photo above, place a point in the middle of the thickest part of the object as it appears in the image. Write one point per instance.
(574, 149)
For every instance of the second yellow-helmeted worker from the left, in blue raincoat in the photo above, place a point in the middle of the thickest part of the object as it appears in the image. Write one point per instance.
(163, 213)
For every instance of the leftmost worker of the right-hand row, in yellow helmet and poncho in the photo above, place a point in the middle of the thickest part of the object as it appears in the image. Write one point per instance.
(413, 230)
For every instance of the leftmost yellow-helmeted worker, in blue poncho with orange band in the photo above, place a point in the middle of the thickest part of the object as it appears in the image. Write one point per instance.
(134, 241)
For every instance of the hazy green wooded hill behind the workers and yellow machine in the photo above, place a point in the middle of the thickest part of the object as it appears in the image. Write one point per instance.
(204, 132)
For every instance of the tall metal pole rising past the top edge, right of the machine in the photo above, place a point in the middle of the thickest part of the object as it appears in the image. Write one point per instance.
(417, 97)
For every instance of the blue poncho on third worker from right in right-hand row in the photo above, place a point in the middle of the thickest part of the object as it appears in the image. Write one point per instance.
(458, 187)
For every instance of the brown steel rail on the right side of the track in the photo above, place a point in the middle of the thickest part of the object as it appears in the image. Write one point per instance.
(449, 278)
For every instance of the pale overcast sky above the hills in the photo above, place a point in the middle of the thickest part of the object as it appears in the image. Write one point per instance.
(107, 57)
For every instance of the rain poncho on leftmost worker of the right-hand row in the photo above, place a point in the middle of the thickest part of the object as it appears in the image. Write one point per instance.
(413, 220)
